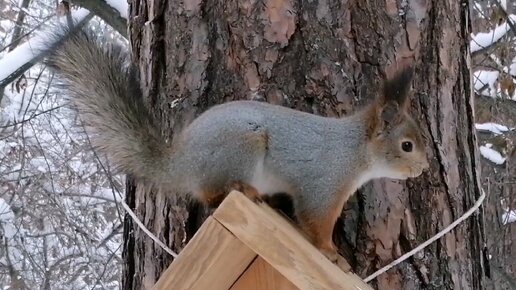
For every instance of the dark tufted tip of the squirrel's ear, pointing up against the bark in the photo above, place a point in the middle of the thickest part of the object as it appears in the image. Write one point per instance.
(396, 88)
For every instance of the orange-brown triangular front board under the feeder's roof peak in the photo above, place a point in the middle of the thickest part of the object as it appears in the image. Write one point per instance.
(262, 276)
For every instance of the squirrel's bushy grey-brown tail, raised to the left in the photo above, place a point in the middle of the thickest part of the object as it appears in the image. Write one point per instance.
(106, 94)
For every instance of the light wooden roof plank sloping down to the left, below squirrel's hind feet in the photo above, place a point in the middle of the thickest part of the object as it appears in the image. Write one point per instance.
(213, 259)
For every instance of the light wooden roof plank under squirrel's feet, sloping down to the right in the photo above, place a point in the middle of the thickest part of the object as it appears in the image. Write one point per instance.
(282, 246)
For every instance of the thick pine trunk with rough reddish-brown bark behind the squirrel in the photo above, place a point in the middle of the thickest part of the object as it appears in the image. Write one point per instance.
(323, 57)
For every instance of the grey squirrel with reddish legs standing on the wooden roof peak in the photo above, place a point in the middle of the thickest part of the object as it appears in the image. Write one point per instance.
(256, 147)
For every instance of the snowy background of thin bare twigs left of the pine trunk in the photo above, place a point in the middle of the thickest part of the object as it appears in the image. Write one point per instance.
(60, 224)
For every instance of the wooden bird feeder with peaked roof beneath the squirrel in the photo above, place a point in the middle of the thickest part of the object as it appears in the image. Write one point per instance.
(249, 246)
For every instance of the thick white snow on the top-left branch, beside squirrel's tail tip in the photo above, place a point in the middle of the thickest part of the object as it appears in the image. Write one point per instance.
(20, 59)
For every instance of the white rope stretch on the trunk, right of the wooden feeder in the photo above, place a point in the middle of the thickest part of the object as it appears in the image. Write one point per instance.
(477, 204)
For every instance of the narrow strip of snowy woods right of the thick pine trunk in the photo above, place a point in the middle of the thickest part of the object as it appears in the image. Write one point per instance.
(493, 50)
